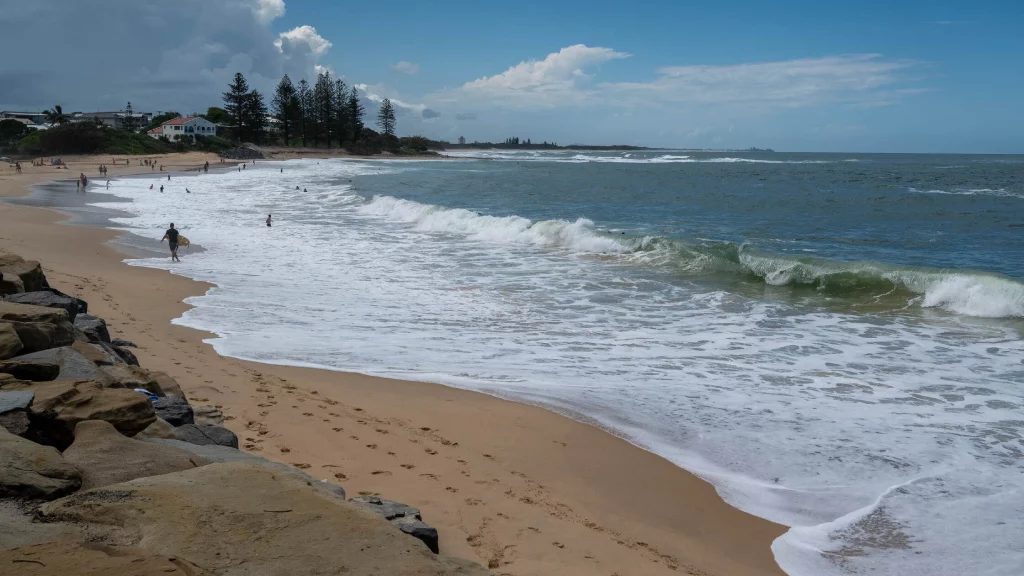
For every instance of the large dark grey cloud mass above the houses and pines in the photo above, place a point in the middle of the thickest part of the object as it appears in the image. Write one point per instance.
(159, 55)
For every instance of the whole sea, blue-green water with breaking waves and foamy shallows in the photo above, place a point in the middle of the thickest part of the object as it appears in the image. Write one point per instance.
(834, 341)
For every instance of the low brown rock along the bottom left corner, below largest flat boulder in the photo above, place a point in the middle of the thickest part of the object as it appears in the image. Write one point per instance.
(68, 558)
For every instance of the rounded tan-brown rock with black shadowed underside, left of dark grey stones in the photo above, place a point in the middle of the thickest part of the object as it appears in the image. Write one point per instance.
(61, 405)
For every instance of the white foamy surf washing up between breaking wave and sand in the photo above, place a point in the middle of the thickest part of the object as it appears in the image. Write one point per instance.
(806, 418)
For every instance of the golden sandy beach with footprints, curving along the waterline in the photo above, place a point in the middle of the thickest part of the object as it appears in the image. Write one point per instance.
(520, 488)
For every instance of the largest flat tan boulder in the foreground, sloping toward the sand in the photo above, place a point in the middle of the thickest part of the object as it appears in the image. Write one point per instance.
(238, 519)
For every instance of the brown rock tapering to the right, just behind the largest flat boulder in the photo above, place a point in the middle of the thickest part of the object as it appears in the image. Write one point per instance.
(105, 457)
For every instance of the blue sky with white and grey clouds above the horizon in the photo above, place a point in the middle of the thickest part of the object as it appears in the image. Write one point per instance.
(907, 76)
